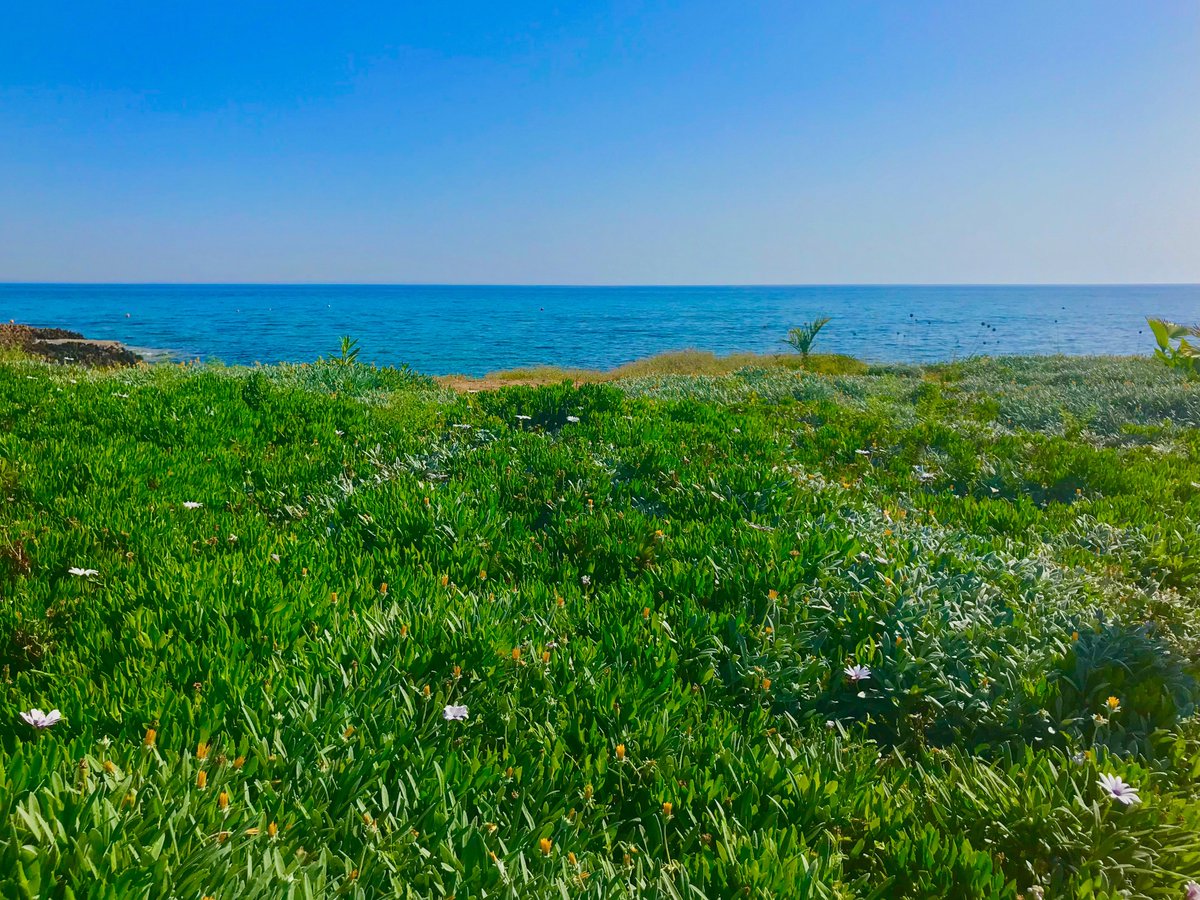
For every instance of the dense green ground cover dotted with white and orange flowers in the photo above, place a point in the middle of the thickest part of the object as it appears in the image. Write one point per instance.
(661, 601)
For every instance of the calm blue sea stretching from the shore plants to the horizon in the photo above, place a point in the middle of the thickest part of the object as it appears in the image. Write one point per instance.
(478, 329)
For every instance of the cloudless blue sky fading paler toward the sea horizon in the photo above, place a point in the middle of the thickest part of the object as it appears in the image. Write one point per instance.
(602, 143)
